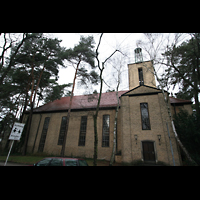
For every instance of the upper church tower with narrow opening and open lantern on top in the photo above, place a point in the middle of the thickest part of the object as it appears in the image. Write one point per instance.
(141, 72)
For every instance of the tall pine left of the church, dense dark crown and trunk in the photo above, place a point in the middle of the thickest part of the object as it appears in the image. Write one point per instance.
(35, 57)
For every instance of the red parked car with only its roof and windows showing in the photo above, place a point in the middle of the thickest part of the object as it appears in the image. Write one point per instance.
(59, 161)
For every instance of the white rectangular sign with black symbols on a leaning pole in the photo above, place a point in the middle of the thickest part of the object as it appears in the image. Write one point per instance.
(15, 135)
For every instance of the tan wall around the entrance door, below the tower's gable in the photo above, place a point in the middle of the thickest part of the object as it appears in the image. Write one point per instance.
(132, 125)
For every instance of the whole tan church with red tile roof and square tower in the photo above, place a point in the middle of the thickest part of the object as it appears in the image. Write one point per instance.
(143, 124)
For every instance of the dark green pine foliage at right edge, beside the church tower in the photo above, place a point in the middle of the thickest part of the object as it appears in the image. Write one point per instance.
(184, 69)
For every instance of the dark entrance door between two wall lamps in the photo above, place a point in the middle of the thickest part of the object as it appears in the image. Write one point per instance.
(148, 151)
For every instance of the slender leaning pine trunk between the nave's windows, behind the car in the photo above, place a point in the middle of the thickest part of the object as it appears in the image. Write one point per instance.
(69, 112)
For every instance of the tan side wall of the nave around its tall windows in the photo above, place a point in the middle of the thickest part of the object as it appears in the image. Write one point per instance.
(72, 148)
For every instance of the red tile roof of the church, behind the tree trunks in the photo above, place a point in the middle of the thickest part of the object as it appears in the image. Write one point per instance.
(90, 101)
